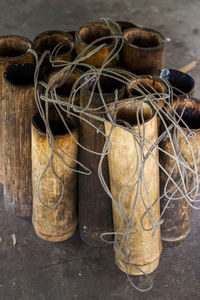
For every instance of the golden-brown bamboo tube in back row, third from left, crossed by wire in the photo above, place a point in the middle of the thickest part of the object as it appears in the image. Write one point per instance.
(88, 34)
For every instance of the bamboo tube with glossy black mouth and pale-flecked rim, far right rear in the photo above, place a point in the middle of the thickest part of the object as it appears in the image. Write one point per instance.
(182, 83)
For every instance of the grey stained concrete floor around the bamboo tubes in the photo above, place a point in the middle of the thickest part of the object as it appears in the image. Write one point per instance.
(35, 269)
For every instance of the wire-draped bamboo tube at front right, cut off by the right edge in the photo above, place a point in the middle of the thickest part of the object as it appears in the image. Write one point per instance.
(177, 216)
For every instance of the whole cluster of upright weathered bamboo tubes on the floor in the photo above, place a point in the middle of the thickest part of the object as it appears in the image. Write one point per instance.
(46, 153)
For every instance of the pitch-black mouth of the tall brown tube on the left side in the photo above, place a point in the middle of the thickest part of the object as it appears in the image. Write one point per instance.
(22, 74)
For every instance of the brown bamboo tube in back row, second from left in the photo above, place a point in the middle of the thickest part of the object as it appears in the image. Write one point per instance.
(48, 40)
